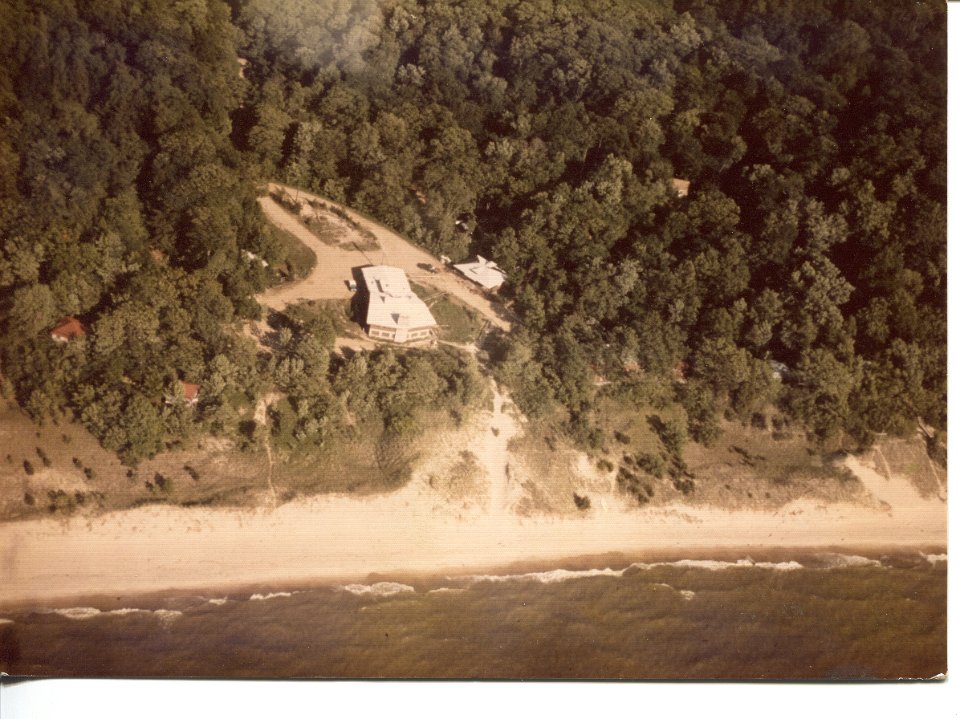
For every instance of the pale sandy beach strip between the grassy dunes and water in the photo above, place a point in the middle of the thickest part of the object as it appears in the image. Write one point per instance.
(418, 530)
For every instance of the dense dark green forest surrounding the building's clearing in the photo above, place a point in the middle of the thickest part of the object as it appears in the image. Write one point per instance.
(813, 136)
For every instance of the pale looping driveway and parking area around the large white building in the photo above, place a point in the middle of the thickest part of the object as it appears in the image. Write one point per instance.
(335, 263)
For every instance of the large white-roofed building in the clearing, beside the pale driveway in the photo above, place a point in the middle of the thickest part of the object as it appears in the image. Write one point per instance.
(394, 312)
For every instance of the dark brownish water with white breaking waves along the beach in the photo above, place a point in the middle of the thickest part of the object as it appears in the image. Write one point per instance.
(804, 616)
